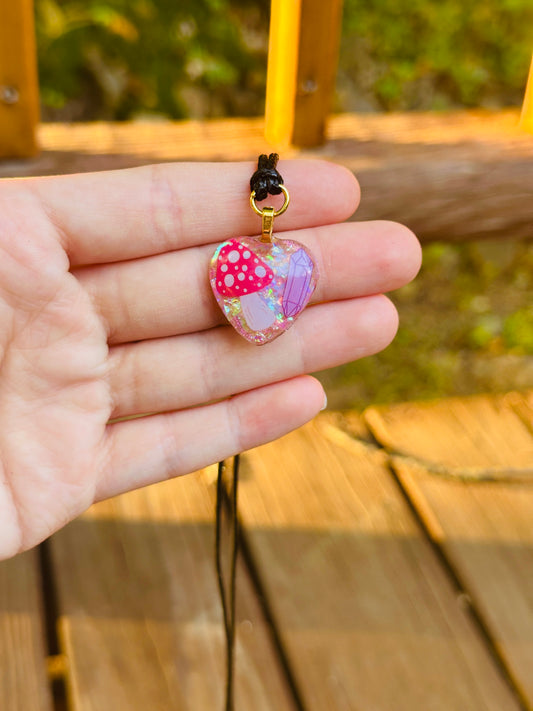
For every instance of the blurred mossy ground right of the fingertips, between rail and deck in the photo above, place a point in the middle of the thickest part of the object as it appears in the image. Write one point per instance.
(466, 326)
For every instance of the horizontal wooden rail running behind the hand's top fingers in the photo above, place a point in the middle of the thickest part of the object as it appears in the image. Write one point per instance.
(474, 167)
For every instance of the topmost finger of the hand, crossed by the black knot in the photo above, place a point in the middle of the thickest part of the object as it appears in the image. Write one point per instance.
(126, 214)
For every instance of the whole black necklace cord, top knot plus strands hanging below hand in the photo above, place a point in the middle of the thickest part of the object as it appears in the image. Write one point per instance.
(266, 180)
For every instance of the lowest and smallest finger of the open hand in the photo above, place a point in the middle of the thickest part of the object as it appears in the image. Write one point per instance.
(146, 450)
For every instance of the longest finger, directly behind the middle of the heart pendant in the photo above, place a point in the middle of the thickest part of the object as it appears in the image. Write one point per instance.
(170, 294)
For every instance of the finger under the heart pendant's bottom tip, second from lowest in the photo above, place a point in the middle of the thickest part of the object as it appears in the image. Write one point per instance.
(180, 372)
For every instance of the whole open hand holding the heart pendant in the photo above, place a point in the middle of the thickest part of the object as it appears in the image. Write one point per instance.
(107, 312)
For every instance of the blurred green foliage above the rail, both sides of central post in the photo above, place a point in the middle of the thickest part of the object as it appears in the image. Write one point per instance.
(117, 59)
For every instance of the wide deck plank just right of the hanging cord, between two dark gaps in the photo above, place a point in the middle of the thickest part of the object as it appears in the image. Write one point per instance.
(367, 615)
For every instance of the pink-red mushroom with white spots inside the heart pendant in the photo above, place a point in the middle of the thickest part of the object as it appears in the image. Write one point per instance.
(242, 274)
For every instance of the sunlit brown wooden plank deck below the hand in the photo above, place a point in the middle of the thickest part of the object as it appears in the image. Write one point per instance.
(387, 564)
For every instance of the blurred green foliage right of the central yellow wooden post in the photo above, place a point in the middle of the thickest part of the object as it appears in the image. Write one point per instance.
(433, 54)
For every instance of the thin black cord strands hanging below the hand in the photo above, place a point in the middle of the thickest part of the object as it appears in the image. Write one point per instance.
(227, 592)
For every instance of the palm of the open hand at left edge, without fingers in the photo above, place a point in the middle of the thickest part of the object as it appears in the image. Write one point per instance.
(54, 397)
